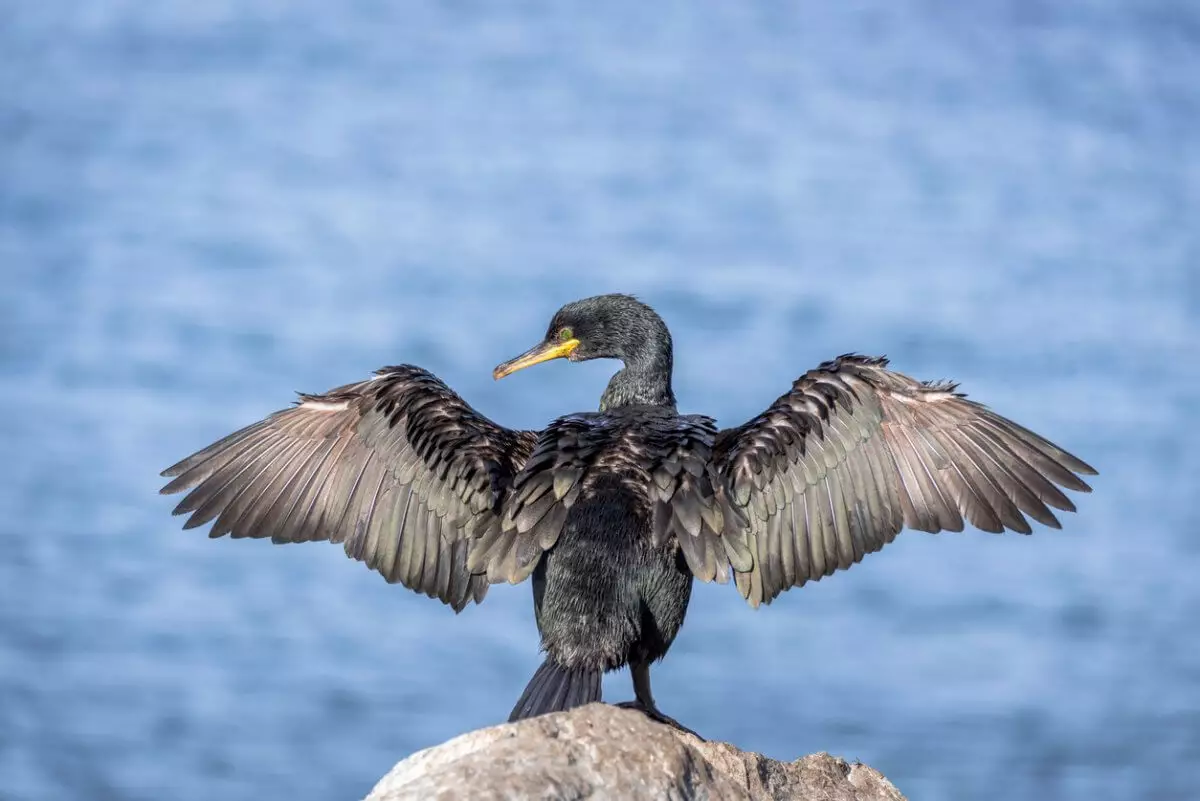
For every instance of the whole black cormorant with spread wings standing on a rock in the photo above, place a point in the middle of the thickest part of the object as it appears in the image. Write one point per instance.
(614, 514)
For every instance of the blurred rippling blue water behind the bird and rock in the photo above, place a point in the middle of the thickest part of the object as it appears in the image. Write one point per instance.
(208, 206)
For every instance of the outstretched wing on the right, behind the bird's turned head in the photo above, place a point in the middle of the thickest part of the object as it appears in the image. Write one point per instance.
(855, 453)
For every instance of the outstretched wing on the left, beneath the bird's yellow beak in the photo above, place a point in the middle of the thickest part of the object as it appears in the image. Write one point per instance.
(398, 468)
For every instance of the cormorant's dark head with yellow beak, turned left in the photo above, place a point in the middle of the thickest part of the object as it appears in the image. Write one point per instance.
(605, 327)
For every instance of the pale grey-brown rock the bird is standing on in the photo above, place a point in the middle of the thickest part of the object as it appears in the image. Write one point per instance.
(604, 752)
